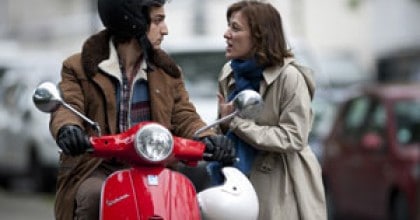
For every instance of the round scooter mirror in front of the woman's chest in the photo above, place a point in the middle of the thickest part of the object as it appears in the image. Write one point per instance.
(248, 103)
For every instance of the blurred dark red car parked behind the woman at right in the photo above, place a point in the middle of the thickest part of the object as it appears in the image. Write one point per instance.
(372, 155)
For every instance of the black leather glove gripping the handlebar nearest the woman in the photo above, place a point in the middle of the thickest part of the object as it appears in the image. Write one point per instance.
(219, 148)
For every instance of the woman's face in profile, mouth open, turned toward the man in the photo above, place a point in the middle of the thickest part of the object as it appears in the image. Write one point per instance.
(238, 38)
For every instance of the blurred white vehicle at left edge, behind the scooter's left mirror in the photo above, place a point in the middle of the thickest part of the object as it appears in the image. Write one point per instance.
(27, 149)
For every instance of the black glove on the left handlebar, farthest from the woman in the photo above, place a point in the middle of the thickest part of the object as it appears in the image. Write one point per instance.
(72, 140)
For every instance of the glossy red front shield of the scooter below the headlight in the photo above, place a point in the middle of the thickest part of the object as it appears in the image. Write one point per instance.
(149, 193)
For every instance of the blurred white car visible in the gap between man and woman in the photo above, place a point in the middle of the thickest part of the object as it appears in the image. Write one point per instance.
(201, 59)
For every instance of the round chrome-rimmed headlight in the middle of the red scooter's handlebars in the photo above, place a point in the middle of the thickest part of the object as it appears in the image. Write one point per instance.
(154, 142)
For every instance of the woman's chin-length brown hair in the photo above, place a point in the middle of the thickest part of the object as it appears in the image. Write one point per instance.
(266, 31)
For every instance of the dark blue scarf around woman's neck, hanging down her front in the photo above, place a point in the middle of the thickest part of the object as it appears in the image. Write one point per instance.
(247, 75)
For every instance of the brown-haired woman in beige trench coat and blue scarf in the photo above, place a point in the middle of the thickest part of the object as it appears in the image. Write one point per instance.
(273, 148)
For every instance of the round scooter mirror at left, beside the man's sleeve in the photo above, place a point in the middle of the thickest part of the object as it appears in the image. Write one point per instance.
(47, 97)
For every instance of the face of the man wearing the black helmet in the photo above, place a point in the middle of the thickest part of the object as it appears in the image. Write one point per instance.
(158, 27)
